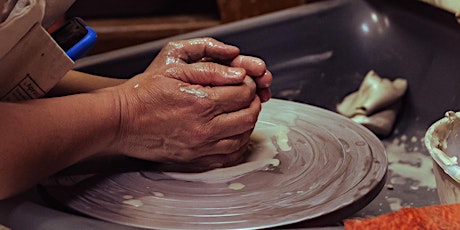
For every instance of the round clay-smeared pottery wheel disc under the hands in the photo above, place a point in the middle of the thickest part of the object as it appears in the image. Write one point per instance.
(332, 163)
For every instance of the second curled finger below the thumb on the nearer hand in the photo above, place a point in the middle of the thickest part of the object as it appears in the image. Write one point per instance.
(231, 124)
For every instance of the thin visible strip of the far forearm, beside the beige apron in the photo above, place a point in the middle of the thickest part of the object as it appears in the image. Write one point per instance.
(78, 82)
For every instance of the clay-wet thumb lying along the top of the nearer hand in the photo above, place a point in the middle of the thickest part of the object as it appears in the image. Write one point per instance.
(207, 73)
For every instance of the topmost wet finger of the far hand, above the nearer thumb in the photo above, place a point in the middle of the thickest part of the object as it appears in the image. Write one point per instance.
(194, 50)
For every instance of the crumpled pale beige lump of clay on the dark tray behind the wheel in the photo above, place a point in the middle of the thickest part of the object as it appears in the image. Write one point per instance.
(376, 104)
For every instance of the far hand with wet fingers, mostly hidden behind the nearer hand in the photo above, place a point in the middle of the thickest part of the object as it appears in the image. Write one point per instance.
(208, 51)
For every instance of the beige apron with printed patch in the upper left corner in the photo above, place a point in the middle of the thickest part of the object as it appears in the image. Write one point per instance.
(31, 62)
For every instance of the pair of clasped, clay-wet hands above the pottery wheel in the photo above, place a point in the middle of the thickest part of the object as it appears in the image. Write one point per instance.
(198, 102)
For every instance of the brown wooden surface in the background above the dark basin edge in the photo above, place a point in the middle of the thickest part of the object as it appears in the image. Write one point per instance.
(125, 23)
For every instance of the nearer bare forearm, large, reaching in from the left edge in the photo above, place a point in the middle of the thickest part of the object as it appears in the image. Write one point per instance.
(43, 136)
